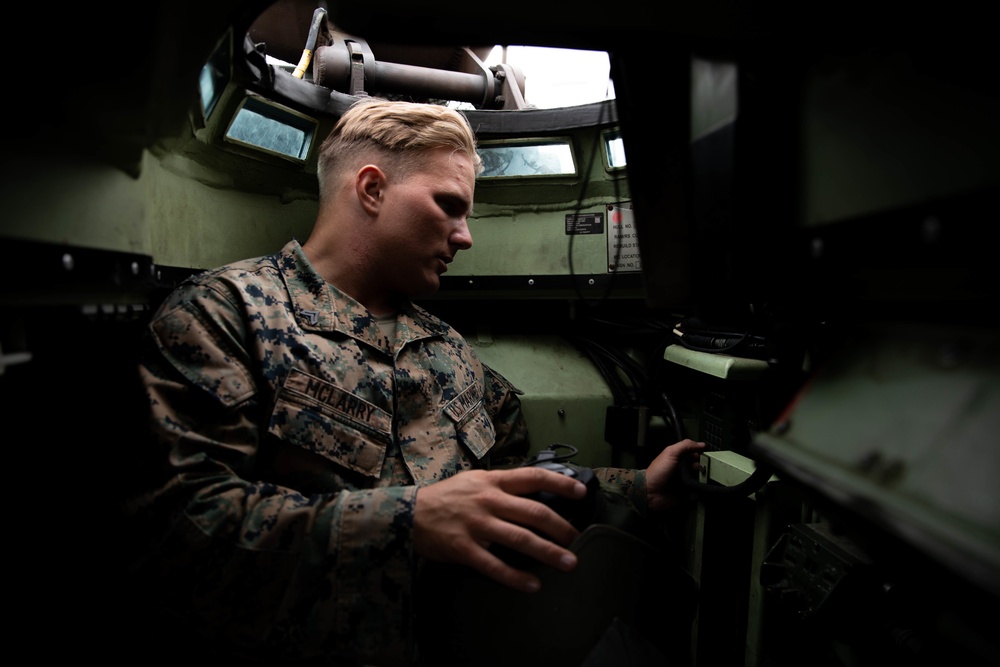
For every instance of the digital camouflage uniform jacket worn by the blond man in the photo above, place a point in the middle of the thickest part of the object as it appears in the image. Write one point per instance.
(297, 433)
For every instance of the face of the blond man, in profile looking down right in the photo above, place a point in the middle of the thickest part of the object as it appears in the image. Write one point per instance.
(423, 222)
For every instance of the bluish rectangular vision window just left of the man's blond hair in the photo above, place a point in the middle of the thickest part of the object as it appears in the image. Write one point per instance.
(272, 128)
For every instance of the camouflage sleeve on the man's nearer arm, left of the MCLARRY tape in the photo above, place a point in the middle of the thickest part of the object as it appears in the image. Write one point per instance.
(256, 567)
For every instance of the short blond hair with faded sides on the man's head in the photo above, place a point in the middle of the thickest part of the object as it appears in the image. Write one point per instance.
(396, 132)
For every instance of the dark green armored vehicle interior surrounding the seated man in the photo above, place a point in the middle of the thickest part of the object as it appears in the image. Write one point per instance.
(771, 238)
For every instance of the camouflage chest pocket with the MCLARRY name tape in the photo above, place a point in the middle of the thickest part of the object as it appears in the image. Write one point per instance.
(329, 421)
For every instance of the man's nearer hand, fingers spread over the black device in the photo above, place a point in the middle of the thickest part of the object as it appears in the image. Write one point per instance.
(457, 520)
